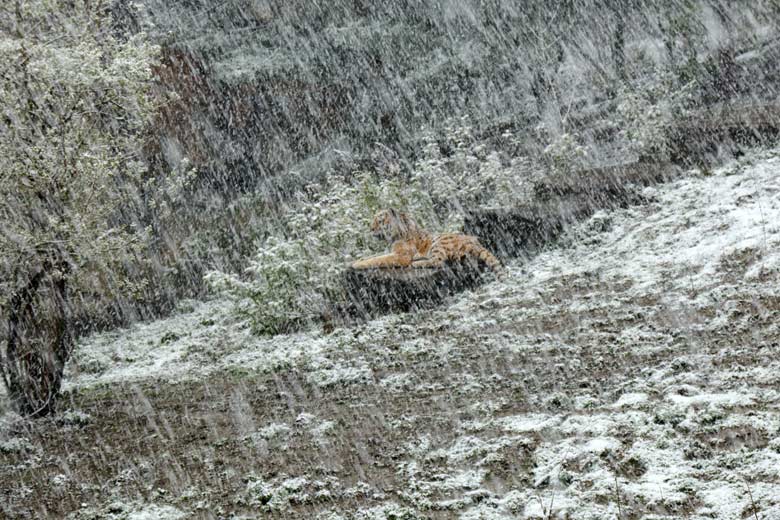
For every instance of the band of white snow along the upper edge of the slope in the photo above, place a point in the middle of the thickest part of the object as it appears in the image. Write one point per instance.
(682, 248)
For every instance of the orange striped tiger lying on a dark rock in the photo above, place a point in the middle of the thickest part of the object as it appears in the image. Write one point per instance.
(412, 246)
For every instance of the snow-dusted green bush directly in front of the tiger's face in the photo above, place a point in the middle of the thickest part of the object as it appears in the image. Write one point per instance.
(294, 273)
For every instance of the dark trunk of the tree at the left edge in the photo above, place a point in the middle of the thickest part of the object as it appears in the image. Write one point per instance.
(39, 342)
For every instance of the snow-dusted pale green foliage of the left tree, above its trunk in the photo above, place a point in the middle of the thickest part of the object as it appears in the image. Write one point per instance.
(75, 101)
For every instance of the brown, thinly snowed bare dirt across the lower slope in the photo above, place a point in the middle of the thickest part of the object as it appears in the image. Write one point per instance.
(189, 444)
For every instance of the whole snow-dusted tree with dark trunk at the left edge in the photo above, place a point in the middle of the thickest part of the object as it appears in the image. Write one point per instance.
(74, 102)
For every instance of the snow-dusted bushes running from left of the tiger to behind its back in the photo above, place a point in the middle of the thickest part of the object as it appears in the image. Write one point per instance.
(294, 275)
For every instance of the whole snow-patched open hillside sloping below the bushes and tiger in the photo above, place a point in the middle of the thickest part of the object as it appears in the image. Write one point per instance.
(628, 371)
